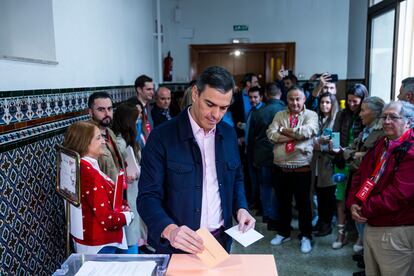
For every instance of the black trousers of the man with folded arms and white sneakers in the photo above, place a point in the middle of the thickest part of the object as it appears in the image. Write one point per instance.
(296, 184)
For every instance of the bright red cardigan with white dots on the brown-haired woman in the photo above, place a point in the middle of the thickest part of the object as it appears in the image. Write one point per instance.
(102, 225)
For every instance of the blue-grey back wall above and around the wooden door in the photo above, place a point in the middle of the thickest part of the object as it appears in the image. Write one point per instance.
(319, 28)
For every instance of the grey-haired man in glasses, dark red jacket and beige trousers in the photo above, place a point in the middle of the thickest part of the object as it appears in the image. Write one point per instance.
(382, 195)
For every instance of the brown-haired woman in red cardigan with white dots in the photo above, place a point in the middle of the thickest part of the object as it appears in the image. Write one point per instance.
(103, 230)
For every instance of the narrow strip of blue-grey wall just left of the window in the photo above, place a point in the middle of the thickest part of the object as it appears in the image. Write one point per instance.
(358, 16)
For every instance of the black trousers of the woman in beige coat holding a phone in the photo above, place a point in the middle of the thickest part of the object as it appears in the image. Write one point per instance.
(326, 203)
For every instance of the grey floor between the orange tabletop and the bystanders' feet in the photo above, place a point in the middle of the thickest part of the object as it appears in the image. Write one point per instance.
(322, 260)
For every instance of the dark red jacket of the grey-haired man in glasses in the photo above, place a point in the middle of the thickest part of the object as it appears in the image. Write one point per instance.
(391, 202)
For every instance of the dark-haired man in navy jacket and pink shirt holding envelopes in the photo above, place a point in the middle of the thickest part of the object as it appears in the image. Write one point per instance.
(191, 172)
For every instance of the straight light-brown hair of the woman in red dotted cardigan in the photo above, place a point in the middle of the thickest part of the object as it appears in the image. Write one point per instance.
(79, 135)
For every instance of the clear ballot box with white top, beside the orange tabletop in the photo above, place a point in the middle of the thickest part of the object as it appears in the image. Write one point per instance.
(114, 264)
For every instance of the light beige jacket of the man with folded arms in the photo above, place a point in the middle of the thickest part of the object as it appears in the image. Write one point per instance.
(305, 130)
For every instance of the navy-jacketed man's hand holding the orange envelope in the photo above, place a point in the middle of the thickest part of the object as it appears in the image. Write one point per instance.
(183, 238)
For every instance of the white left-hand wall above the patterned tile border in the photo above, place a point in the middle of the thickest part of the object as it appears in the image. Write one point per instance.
(98, 43)
